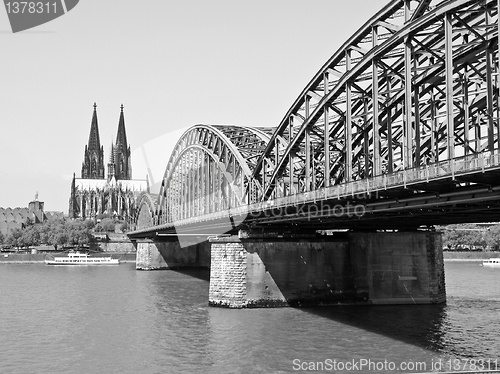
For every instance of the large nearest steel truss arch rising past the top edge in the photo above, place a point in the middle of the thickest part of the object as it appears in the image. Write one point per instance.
(417, 84)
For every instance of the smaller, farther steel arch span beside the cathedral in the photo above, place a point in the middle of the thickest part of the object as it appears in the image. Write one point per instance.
(209, 170)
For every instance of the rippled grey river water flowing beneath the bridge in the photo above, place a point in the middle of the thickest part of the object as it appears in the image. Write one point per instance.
(119, 320)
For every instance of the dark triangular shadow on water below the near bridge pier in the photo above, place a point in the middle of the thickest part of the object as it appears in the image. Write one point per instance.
(420, 325)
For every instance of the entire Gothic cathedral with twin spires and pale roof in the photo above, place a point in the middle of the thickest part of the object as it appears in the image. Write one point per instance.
(94, 195)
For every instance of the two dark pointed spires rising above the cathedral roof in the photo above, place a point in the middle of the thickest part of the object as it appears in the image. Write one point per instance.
(119, 165)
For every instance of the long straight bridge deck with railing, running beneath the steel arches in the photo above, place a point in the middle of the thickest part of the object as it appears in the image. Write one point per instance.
(405, 199)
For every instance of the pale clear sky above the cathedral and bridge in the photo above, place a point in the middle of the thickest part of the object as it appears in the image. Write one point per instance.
(171, 63)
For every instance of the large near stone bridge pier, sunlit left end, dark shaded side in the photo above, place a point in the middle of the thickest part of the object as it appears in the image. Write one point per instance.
(348, 268)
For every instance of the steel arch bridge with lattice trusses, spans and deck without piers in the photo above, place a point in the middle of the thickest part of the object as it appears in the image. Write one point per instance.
(402, 120)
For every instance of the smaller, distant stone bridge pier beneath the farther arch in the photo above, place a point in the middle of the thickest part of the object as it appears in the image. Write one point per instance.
(168, 254)
